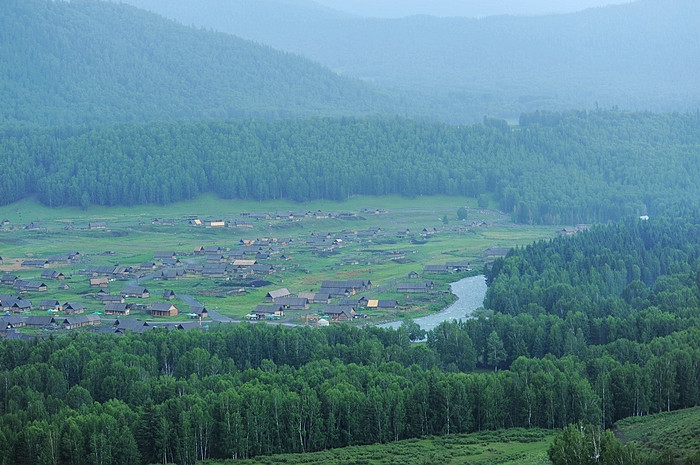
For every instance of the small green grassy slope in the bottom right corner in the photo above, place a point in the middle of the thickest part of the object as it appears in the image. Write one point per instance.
(677, 431)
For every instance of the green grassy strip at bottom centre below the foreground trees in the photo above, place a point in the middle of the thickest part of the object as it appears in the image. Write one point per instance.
(509, 447)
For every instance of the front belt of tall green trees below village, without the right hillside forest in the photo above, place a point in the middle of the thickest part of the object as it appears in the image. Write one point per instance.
(242, 391)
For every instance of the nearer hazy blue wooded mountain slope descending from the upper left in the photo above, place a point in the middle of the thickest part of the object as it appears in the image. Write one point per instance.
(89, 61)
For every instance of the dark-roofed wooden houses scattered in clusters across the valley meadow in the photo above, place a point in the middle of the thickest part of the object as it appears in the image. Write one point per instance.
(247, 259)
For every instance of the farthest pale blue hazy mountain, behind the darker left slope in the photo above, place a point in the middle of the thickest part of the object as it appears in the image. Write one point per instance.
(641, 55)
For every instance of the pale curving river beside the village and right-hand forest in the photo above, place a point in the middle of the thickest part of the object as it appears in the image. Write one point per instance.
(470, 294)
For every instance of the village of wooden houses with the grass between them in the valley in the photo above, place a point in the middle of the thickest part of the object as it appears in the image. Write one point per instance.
(259, 278)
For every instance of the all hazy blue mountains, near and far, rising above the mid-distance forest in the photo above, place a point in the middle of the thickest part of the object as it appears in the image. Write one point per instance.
(93, 61)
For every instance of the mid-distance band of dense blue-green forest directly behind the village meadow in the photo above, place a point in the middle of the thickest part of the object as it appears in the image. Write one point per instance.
(554, 168)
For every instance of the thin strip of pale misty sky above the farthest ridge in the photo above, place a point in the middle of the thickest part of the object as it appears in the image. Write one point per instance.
(469, 8)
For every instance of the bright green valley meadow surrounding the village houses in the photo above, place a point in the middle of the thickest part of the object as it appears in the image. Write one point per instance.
(132, 239)
